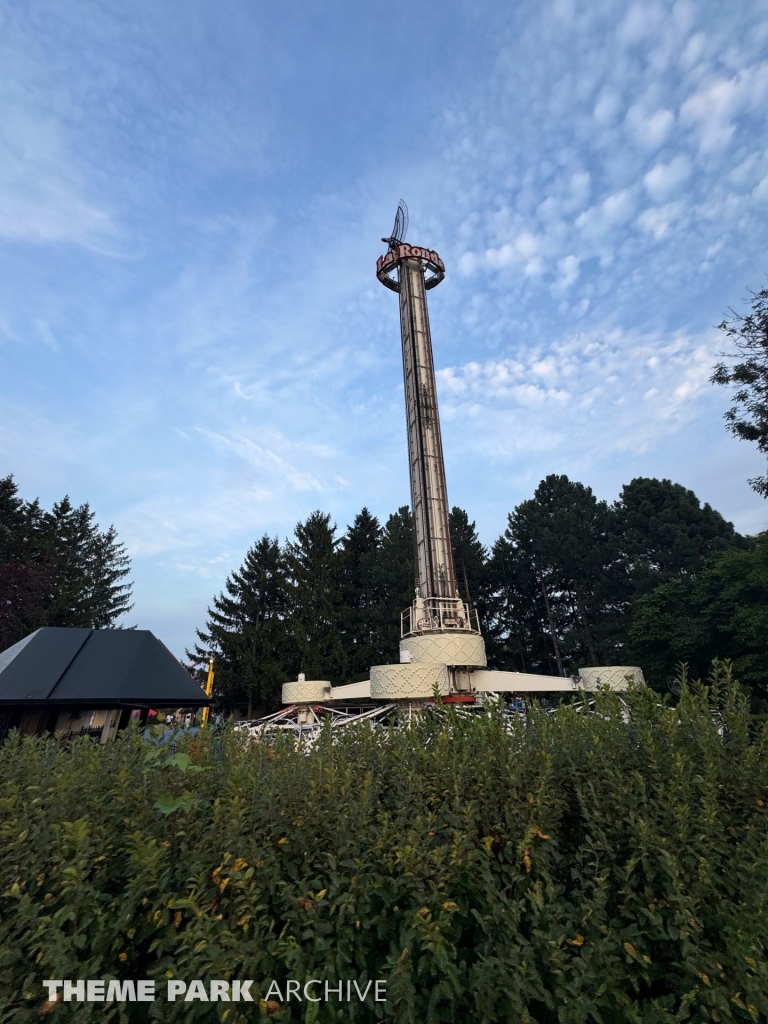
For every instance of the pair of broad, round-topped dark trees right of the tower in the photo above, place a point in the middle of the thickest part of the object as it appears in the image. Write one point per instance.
(572, 575)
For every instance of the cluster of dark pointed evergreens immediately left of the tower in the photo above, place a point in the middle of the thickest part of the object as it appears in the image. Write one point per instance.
(324, 606)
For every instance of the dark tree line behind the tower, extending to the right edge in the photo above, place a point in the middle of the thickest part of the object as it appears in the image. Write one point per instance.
(652, 579)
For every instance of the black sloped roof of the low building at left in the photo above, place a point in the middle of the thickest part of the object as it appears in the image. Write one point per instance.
(96, 669)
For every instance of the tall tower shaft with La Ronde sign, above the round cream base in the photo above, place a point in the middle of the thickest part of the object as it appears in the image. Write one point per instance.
(411, 272)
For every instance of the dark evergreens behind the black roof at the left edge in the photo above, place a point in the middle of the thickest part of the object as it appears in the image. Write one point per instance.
(58, 568)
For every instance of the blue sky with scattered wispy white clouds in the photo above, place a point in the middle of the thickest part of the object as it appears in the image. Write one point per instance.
(192, 199)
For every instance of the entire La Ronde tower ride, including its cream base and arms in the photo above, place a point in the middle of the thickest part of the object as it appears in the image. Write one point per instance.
(442, 648)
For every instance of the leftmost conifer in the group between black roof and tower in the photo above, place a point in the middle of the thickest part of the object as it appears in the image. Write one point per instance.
(247, 631)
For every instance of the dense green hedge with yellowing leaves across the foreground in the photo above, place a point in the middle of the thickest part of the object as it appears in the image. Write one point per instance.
(607, 865)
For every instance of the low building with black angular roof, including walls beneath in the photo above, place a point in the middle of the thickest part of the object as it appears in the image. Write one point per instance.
(75, 680)
